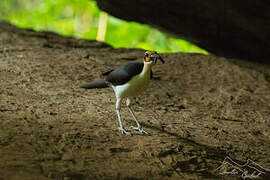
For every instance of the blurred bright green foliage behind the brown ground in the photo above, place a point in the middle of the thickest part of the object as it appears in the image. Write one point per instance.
(79, 18)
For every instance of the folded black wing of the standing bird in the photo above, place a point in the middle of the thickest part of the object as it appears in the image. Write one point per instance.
(123, 74)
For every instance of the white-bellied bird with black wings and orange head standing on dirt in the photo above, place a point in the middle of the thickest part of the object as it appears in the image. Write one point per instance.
(128, 81)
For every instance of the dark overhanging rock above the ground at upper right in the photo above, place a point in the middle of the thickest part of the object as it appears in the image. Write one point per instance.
(229, 28)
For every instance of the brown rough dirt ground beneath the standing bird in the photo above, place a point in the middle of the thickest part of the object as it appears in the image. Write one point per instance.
(199, 110)
